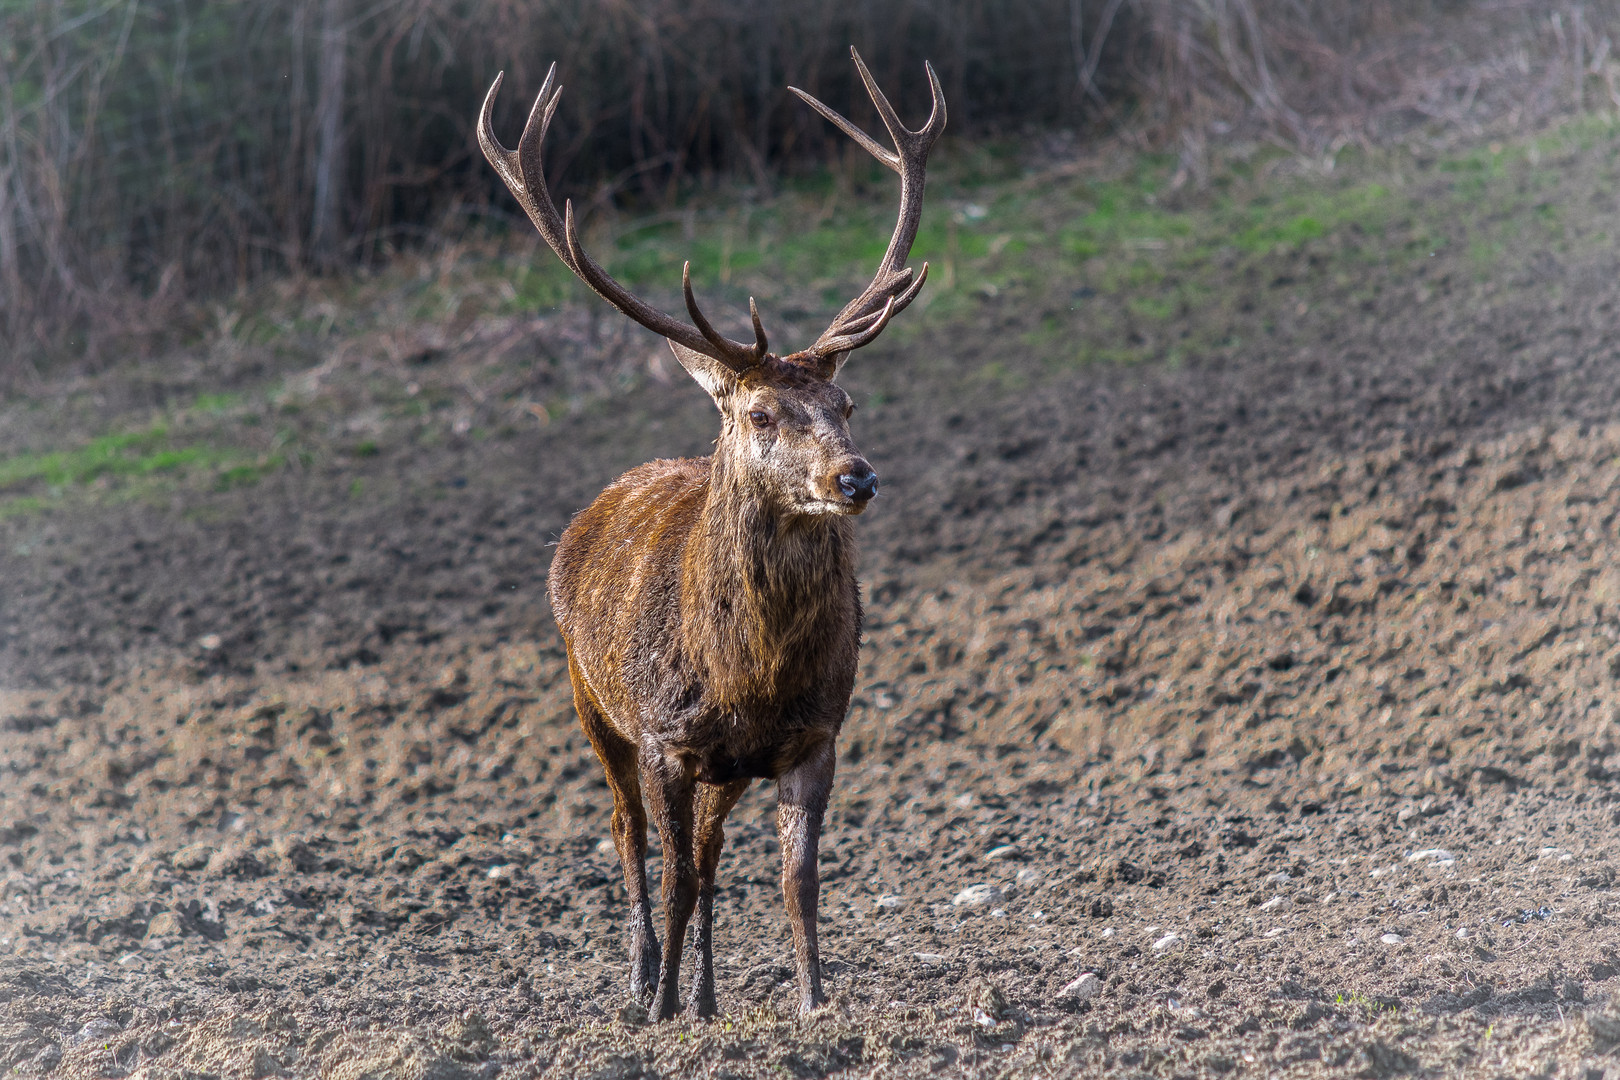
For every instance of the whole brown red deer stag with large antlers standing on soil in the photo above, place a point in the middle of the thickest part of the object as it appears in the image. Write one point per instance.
(710, 606)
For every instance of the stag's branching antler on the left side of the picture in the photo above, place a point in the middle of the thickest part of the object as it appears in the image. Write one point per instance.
(524, 172)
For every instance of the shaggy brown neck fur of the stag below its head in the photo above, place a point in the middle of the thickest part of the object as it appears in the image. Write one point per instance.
(765, 590)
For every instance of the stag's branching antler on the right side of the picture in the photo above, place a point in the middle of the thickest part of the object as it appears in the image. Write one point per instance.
(892, 289)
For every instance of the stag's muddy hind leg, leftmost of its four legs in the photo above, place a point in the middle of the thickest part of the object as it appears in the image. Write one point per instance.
(629, 835)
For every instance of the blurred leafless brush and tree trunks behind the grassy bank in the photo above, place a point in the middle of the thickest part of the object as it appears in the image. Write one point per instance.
(155, 153)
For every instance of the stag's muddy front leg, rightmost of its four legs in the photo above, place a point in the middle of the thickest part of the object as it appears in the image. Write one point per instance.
(801, 806)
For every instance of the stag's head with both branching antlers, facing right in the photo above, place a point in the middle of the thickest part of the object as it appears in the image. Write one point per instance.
(785, 419)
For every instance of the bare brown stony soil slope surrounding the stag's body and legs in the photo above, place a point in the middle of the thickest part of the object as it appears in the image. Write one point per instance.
(1277, 692)
